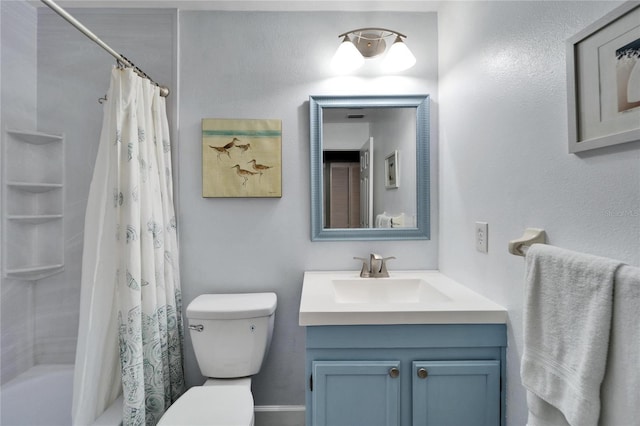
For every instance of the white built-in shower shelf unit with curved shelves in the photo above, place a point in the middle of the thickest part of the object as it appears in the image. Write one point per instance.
(33, 212)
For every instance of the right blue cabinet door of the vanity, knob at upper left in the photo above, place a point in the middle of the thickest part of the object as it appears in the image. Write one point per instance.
(456, 393)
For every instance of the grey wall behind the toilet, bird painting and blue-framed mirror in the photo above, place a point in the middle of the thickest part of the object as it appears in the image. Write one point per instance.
(265, 65)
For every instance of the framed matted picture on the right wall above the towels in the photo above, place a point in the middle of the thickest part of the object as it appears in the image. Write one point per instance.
(603, 68)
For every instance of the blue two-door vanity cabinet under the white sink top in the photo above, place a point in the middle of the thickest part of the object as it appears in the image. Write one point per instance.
(405, 375)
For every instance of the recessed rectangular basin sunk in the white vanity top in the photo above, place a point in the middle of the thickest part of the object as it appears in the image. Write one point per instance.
(386, 290)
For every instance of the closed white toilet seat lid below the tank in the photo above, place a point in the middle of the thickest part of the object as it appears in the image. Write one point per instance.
(211, 405)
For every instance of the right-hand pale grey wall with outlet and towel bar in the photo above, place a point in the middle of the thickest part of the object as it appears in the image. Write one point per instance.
(504, 157)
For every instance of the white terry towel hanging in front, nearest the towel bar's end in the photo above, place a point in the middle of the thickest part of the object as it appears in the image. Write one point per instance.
(567, 318)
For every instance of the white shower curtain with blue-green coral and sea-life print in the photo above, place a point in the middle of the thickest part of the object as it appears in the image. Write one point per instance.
(130, 335)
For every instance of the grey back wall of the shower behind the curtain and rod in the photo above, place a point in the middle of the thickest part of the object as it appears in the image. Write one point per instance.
(73, 73)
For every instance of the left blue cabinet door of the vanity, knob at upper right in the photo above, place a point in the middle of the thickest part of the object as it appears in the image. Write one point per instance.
(356, 393)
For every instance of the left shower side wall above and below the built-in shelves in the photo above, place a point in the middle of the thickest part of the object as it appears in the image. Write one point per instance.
(18, 29)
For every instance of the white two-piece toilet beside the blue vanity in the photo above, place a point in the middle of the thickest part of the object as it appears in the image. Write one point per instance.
(231, 335)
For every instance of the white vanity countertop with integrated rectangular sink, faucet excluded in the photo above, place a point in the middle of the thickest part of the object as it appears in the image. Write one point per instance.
(406, 297)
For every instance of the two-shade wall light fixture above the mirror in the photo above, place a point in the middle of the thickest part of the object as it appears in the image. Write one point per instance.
(370, 43)
